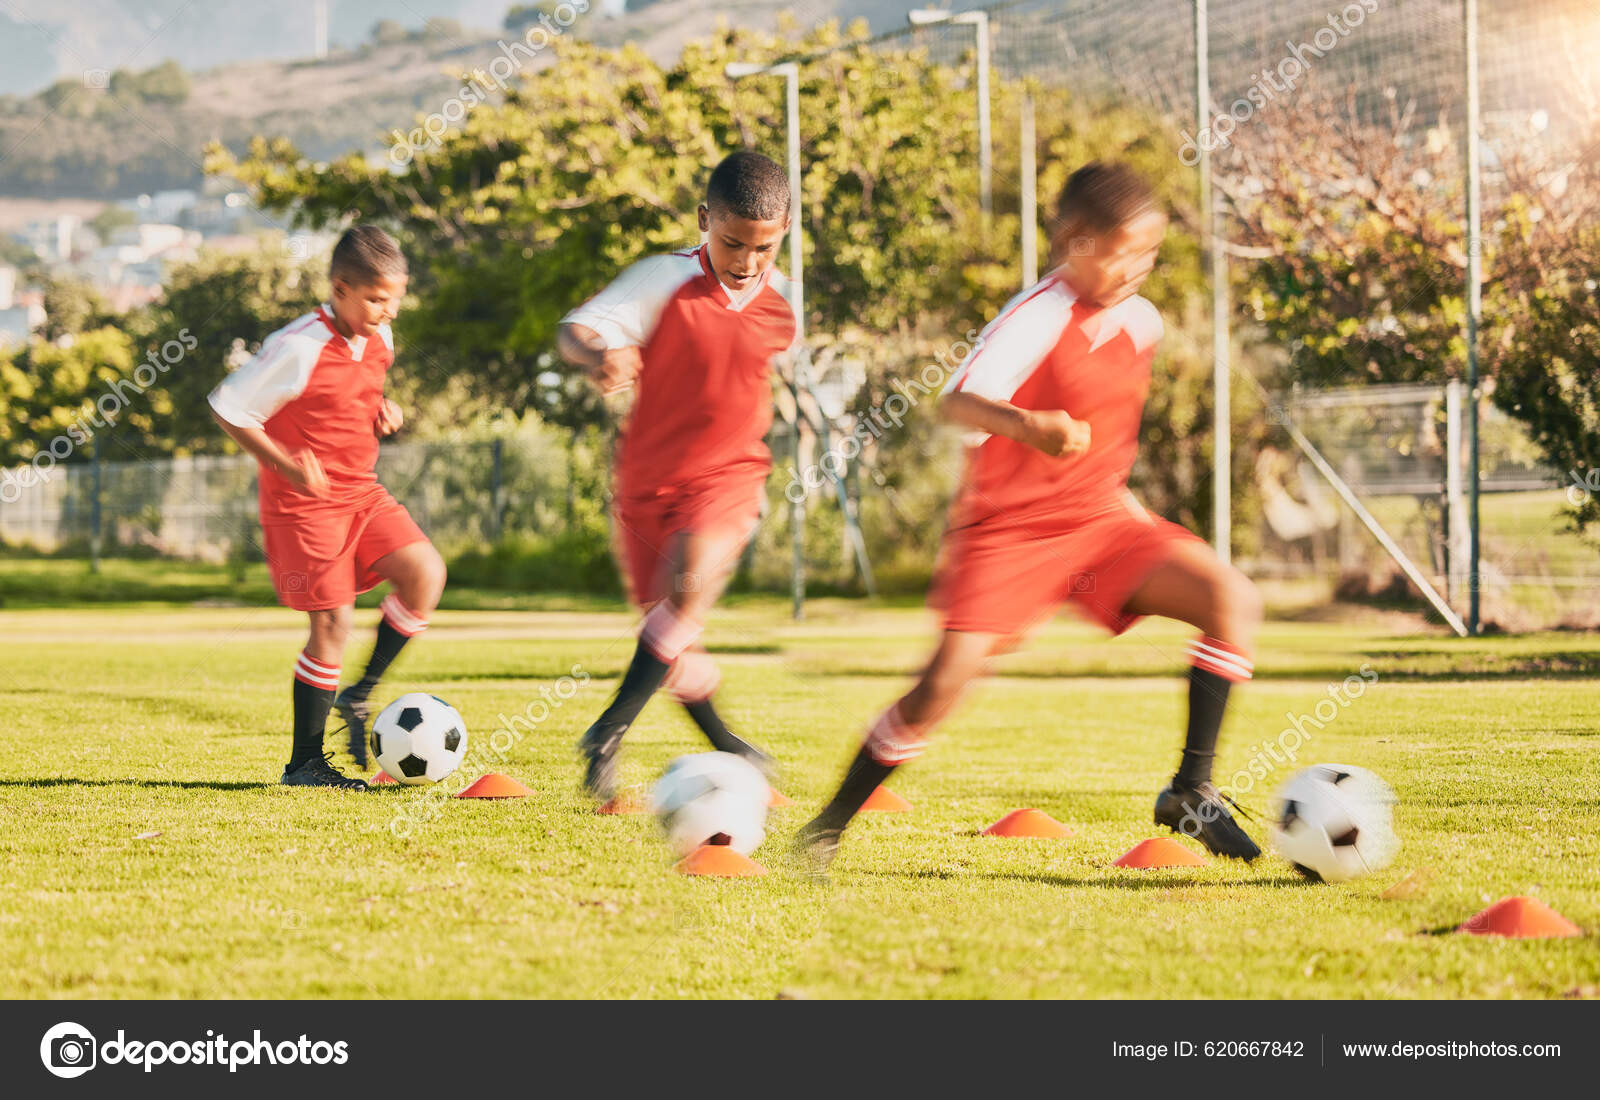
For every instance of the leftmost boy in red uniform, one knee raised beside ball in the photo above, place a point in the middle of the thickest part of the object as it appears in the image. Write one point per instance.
(311, 407)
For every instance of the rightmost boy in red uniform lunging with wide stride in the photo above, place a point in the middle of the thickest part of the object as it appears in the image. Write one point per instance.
(1054, 394)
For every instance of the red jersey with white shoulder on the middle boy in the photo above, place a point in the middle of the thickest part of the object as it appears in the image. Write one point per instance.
(705, 399)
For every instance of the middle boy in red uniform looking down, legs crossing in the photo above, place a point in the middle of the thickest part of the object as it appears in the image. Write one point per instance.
(695, 332)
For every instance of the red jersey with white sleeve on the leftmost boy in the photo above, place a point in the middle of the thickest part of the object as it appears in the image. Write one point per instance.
(311, 389)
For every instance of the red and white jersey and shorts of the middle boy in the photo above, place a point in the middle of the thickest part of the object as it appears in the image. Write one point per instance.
(694, 455)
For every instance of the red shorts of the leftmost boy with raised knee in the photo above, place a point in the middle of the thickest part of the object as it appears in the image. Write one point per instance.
(326, 562)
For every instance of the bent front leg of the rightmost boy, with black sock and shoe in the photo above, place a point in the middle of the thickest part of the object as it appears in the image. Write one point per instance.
(1193, 586)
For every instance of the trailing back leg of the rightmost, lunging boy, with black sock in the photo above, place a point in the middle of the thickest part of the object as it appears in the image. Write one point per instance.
(900, 735)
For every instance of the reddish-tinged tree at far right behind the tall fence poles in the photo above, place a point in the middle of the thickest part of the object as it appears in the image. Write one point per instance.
(1362, 257)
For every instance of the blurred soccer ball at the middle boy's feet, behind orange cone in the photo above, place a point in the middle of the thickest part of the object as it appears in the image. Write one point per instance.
(711, 799)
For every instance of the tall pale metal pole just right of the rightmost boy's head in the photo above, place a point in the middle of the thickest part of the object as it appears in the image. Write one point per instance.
(1212, 236)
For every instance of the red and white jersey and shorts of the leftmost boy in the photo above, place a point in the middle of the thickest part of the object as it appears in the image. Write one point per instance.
(310, 389)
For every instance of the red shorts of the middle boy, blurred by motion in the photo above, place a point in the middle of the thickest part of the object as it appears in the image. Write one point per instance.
(647, 527)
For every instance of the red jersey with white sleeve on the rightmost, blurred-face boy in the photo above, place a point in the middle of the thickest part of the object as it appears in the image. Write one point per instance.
(1049, 351)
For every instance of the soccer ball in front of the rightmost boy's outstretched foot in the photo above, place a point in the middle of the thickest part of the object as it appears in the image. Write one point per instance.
(1335, 823)
